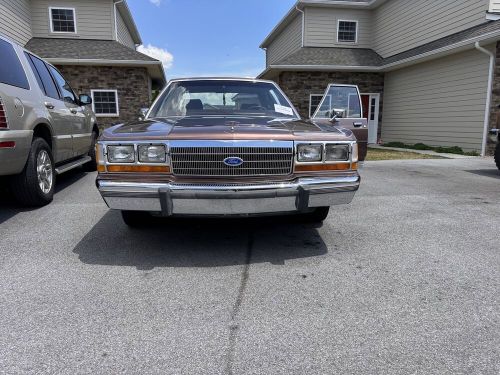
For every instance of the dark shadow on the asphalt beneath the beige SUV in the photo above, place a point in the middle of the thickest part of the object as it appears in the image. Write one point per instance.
(9, 207)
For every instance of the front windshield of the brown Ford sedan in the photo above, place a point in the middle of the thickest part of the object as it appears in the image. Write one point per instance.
(216, 98)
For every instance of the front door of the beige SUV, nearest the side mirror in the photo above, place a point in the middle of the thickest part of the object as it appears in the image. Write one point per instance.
(78, 117)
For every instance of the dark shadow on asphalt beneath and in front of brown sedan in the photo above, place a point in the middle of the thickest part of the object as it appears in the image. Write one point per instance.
(183, 242)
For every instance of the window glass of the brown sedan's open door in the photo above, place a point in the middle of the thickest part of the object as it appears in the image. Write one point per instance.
(343, 101)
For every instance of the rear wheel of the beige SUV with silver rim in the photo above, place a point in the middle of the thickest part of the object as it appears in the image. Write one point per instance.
(34, 186)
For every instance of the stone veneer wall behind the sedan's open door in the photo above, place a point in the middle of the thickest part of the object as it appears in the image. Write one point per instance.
(300, 85)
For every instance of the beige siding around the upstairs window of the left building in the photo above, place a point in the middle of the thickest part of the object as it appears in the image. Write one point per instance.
(95, 18)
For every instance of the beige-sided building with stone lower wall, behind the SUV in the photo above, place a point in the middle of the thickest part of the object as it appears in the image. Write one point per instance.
(93, 43)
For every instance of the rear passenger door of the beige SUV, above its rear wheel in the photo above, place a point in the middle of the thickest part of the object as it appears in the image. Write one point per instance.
(59, 115)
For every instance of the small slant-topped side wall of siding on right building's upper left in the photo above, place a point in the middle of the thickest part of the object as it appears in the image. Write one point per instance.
(287, 42)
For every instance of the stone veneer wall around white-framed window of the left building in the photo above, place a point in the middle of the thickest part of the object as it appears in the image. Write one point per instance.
(131, 83)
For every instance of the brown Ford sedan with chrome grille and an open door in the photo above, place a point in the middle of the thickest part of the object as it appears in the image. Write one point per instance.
(222, 147)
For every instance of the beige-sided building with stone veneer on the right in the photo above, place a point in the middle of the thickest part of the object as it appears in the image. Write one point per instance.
(428, 69)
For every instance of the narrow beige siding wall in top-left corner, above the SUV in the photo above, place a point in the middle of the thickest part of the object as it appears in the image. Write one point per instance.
(15, 20)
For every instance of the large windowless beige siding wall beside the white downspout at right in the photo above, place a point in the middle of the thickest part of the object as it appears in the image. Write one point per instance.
(441, 102)
